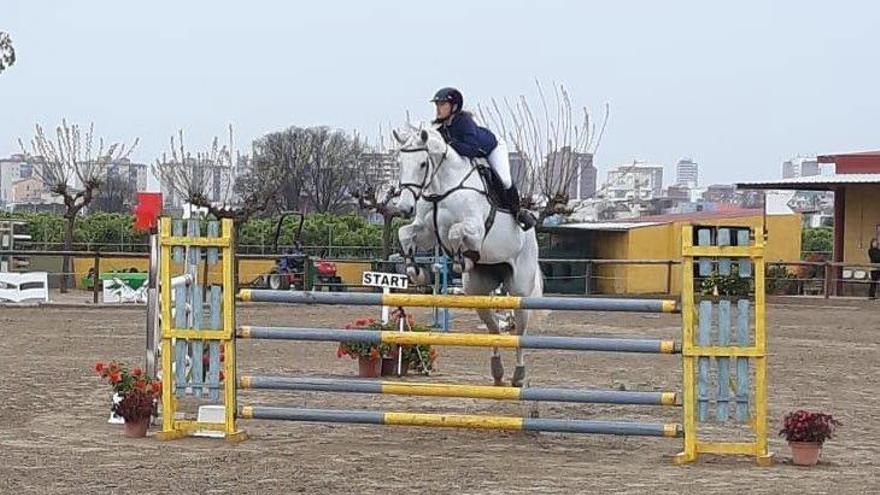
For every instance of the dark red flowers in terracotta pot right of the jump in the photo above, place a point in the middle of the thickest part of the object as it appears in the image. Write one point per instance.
(805, 432)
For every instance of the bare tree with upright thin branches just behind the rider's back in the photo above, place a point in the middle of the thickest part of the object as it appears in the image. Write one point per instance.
(547, 138)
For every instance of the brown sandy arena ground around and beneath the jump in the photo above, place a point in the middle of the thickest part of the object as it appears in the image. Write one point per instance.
(54, 437)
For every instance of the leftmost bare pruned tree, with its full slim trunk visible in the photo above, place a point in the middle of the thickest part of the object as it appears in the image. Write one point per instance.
(71, 168)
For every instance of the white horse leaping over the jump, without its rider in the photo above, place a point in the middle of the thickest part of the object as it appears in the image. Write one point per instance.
(447, 199)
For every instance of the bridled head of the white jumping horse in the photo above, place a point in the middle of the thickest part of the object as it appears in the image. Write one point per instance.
(421, 150)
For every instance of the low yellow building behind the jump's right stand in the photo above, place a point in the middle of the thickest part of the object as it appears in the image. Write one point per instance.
(617, 245)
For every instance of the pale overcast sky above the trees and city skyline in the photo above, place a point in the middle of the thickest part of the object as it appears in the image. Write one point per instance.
(739, 88)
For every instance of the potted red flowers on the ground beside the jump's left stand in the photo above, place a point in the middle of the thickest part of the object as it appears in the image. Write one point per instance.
(138, 392)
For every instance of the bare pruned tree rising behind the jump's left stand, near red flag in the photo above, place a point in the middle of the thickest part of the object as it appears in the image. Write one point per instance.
(207, 180)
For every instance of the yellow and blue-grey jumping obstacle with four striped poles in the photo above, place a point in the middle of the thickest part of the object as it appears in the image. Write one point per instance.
(197, 344)
